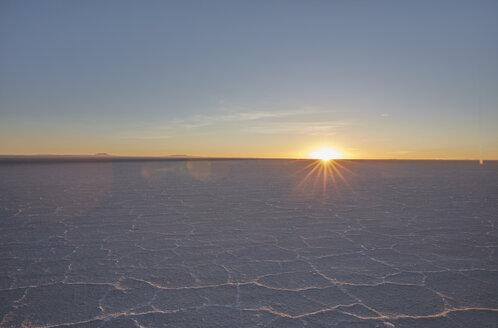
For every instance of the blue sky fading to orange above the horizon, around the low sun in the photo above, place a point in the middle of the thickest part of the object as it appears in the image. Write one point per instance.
(370, 79)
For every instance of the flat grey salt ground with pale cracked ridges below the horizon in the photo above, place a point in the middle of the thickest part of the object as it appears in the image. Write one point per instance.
(252, 244)
